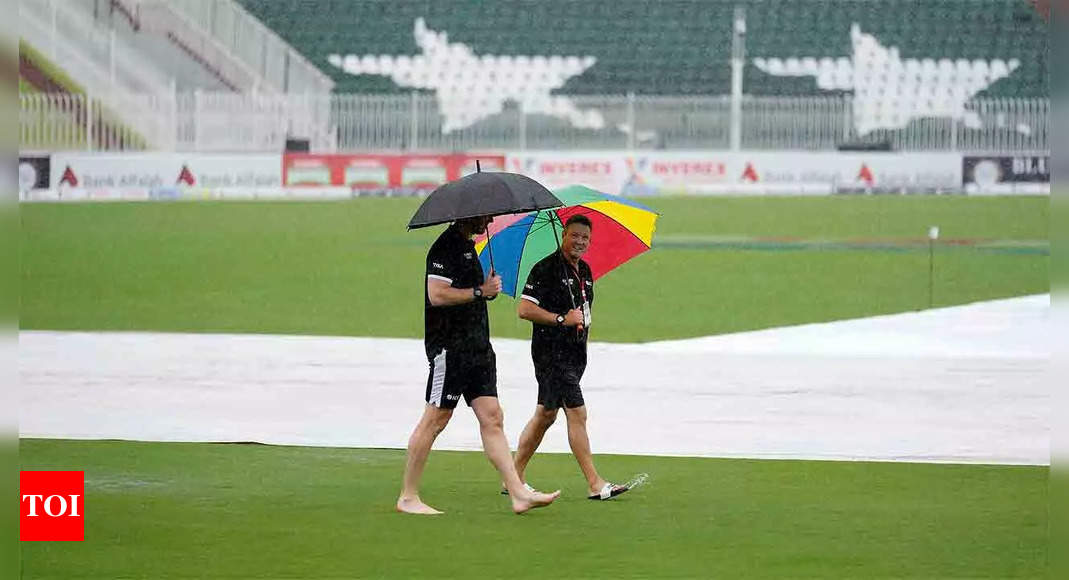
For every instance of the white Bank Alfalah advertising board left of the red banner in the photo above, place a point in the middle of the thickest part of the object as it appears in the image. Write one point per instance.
(164, 170)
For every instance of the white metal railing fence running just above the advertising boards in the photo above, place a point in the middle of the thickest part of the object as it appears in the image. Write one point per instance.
(218, 122)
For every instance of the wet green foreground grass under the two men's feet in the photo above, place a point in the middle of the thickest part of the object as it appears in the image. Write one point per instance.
(222, 511)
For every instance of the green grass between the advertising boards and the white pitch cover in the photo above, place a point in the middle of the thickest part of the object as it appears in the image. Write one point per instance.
(350, 269)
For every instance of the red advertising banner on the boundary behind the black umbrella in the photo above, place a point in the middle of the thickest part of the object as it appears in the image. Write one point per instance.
(389, 174)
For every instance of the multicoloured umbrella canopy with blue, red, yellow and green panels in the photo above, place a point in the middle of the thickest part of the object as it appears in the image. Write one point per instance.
(623, 230)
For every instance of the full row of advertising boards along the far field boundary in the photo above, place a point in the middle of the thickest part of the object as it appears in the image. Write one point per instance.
(134, 177)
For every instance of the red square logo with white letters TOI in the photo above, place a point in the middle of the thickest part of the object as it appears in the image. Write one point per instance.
(52, 506)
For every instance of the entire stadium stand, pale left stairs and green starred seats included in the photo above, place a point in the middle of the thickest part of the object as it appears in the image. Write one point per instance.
(246, 75)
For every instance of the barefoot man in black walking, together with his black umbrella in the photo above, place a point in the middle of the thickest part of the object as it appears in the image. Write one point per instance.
(462, 362)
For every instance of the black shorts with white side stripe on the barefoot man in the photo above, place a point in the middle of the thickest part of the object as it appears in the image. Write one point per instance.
(455, 374)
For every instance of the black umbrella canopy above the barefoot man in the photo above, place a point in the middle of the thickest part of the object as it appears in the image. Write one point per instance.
(491, 194)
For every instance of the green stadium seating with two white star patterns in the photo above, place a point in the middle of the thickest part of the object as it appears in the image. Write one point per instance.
(888, 66)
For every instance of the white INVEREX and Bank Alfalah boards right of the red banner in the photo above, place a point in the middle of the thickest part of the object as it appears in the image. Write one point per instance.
(724, 173)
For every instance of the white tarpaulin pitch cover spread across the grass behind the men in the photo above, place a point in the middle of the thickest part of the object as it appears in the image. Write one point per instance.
(955, 385)
